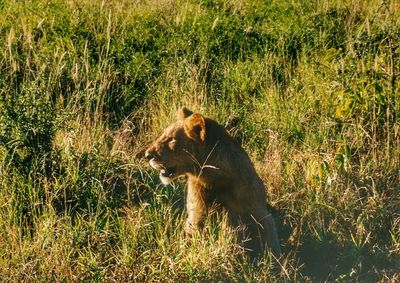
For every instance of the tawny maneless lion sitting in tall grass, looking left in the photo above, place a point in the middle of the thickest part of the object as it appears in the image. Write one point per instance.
(218, 171)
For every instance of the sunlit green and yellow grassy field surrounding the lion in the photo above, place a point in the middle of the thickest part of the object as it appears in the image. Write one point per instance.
(311, 89)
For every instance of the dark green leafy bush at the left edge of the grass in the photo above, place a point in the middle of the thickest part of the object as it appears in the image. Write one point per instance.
(26, 130)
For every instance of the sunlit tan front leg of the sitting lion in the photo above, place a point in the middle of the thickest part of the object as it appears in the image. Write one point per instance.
(196, 207)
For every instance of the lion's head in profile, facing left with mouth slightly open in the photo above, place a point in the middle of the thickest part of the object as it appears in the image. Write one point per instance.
(174, 153)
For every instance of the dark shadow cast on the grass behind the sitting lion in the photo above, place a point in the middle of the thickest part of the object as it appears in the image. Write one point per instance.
(326, 259)
